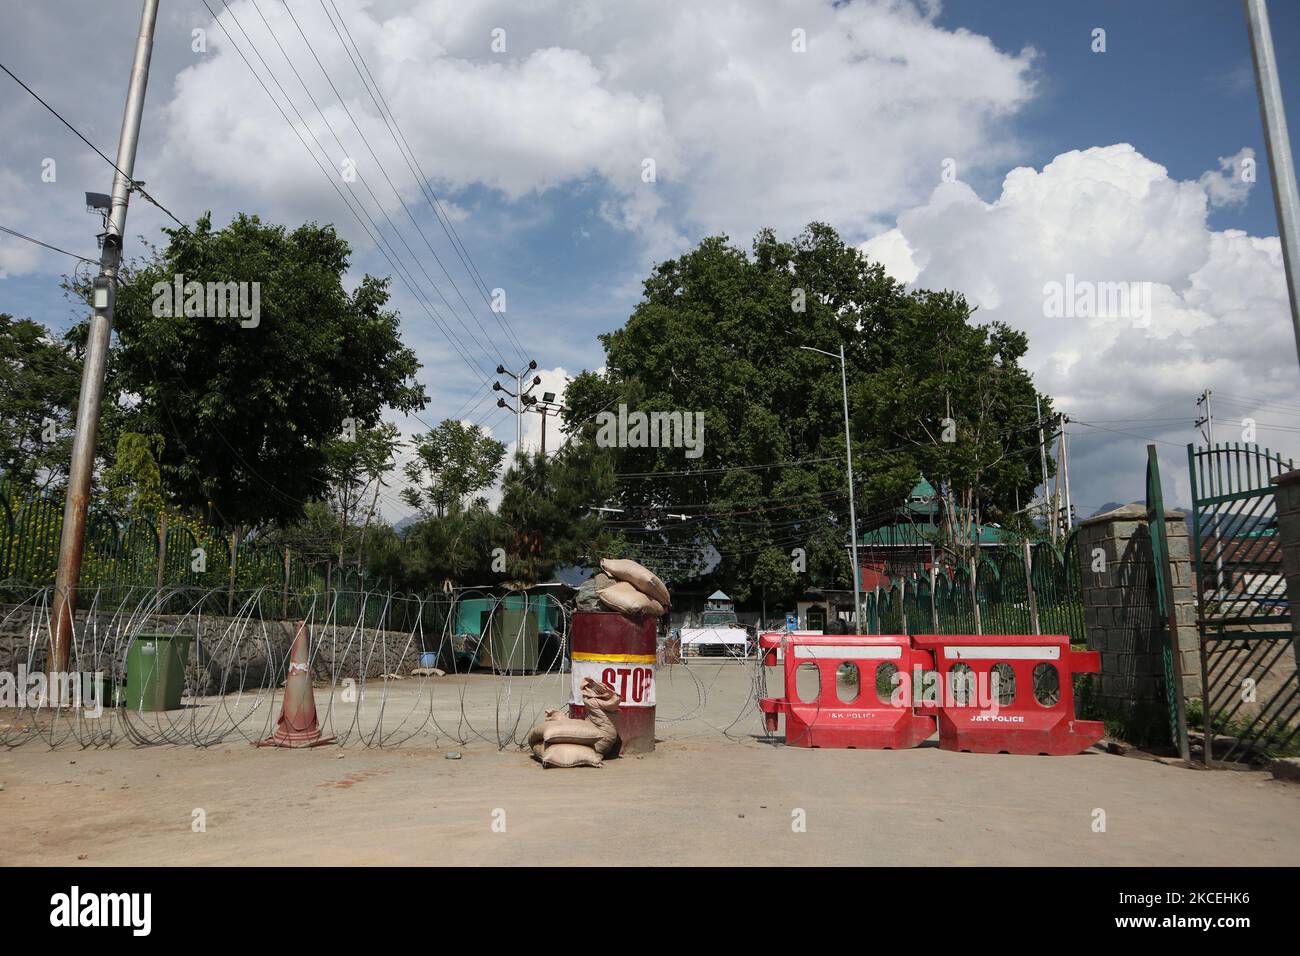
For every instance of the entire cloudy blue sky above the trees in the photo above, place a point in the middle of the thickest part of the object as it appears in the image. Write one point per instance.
(986, 146)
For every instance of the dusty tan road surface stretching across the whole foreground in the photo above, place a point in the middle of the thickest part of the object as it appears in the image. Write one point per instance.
(701, 798)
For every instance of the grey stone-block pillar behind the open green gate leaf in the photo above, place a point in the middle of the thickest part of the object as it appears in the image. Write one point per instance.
(1125, 625)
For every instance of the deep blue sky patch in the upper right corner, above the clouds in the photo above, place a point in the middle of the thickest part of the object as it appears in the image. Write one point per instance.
(1176, 81)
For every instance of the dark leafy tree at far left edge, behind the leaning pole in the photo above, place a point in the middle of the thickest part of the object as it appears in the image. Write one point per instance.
(40, 380)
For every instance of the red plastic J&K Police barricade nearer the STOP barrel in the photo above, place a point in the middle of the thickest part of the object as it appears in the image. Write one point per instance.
(878, 713)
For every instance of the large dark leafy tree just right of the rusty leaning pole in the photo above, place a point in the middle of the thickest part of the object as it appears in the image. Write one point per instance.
(250, 404)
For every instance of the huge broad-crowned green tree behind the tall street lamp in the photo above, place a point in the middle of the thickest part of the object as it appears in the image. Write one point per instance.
(722, 334)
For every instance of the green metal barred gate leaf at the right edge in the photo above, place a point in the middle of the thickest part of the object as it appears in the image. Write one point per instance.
(1251, 708)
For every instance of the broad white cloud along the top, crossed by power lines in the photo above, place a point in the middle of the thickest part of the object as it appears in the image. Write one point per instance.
(744, 131)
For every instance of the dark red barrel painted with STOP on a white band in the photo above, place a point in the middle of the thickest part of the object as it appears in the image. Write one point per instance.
(621, 654)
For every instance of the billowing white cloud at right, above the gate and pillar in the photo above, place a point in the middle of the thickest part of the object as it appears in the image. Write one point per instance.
(1219, 314)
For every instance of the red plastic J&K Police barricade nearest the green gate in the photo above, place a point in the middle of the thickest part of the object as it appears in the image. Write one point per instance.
(1033, 708)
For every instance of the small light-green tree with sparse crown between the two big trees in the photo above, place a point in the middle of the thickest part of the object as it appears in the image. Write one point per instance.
(452, 464)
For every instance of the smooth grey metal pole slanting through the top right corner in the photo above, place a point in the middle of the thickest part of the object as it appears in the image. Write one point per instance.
(1282, 170)
